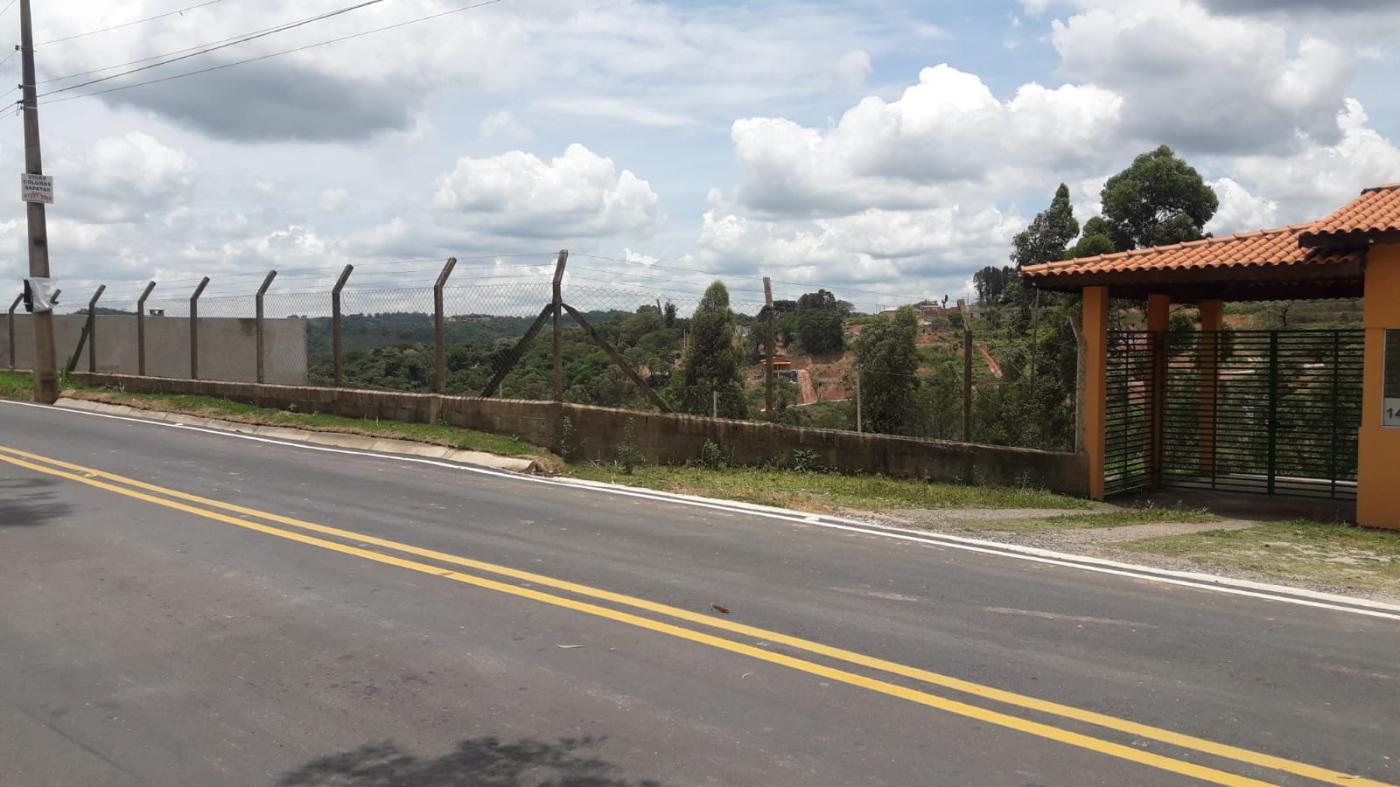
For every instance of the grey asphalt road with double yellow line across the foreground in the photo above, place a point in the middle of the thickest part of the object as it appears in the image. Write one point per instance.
(190, 608)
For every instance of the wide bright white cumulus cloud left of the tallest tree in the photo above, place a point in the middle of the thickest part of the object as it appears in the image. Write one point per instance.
(948, 130)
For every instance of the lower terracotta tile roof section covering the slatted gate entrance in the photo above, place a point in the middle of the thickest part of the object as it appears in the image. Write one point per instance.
(1265, 249)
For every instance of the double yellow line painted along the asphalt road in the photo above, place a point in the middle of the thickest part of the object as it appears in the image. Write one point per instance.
(255, 520)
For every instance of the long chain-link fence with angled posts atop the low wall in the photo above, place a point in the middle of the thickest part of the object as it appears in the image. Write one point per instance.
(612, 334)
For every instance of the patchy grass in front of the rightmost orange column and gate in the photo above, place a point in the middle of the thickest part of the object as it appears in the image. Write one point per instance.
(1336, 555)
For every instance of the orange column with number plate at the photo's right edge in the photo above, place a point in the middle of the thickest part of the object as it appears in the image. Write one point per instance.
(1378, 495)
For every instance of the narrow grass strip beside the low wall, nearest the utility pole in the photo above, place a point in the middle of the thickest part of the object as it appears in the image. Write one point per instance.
(437, 435)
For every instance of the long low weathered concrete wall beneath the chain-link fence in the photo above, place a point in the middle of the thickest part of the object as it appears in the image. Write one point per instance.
(667, 439)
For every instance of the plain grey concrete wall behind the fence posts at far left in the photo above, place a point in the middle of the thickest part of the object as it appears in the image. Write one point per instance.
(229, 348)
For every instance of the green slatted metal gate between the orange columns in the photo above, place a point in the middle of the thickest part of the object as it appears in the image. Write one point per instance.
(1272, 412)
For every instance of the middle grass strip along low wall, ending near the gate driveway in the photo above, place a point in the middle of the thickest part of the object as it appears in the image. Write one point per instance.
(821, 492)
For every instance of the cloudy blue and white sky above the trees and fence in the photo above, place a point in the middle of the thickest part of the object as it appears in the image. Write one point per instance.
(870, 146)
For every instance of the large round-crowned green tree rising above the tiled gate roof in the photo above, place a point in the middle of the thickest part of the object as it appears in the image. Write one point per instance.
(1158, 200)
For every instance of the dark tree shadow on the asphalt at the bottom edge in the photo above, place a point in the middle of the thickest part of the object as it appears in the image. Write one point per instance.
(481, 762)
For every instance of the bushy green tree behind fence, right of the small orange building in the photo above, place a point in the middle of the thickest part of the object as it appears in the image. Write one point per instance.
(888, 359)
